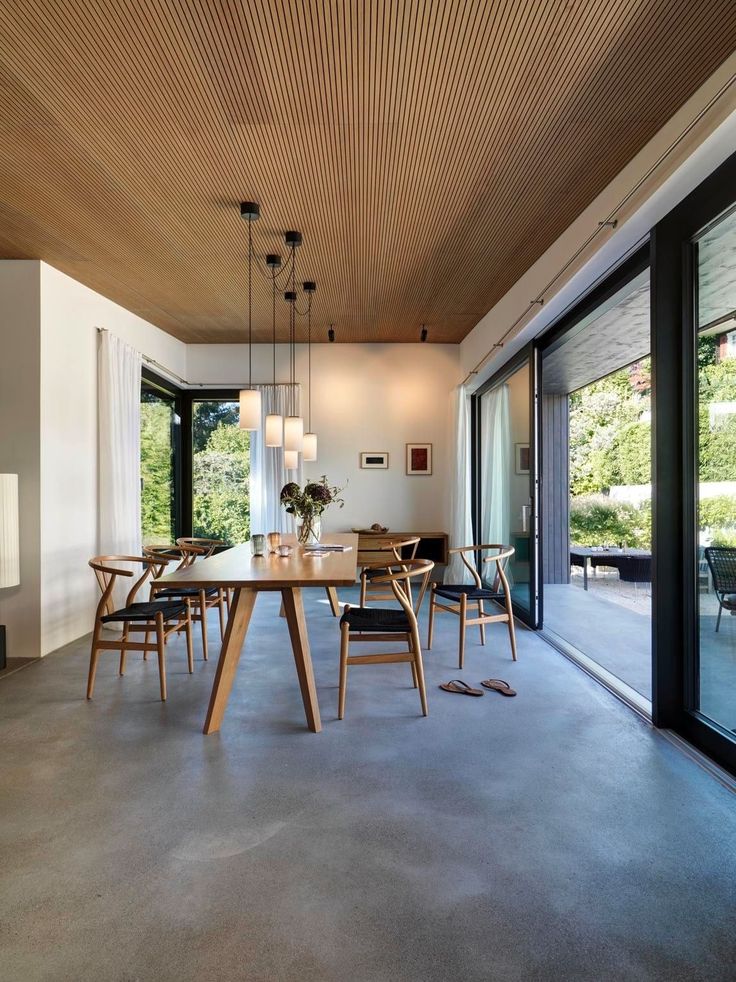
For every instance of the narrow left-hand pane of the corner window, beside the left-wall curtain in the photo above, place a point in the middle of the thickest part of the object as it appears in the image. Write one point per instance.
(159, 439)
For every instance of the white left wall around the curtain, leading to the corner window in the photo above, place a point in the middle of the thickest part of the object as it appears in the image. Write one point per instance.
(70, 314)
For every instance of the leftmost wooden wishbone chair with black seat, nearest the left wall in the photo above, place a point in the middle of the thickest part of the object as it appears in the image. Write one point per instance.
(161, 618)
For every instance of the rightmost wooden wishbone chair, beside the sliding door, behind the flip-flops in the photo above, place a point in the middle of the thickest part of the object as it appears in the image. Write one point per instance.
(470, 598)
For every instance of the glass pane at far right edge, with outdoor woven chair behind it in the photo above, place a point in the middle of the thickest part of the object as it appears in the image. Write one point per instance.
(716, 485)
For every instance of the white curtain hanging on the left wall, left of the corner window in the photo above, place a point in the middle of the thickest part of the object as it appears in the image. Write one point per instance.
(119, 414)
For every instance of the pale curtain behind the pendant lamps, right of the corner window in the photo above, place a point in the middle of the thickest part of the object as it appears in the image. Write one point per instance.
(267, 472)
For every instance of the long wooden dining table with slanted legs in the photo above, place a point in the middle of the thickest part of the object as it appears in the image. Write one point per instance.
(237, 569)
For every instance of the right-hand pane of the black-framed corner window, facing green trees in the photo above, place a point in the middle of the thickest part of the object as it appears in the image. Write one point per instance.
(220, 471)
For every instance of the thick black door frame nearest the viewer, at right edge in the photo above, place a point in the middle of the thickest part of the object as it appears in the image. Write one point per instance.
(674, 417)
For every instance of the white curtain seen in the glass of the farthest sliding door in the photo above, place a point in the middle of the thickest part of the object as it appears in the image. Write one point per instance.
(496, 466)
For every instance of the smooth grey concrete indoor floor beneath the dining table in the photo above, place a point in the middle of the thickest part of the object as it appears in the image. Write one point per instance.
(552, 836)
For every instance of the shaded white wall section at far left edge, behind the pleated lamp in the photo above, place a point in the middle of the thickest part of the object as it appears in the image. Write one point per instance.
(19, 445)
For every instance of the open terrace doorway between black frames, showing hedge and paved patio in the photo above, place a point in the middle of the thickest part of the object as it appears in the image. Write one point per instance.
(596, 463)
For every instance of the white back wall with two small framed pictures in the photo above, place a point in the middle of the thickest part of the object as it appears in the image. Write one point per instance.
(364, 397)
